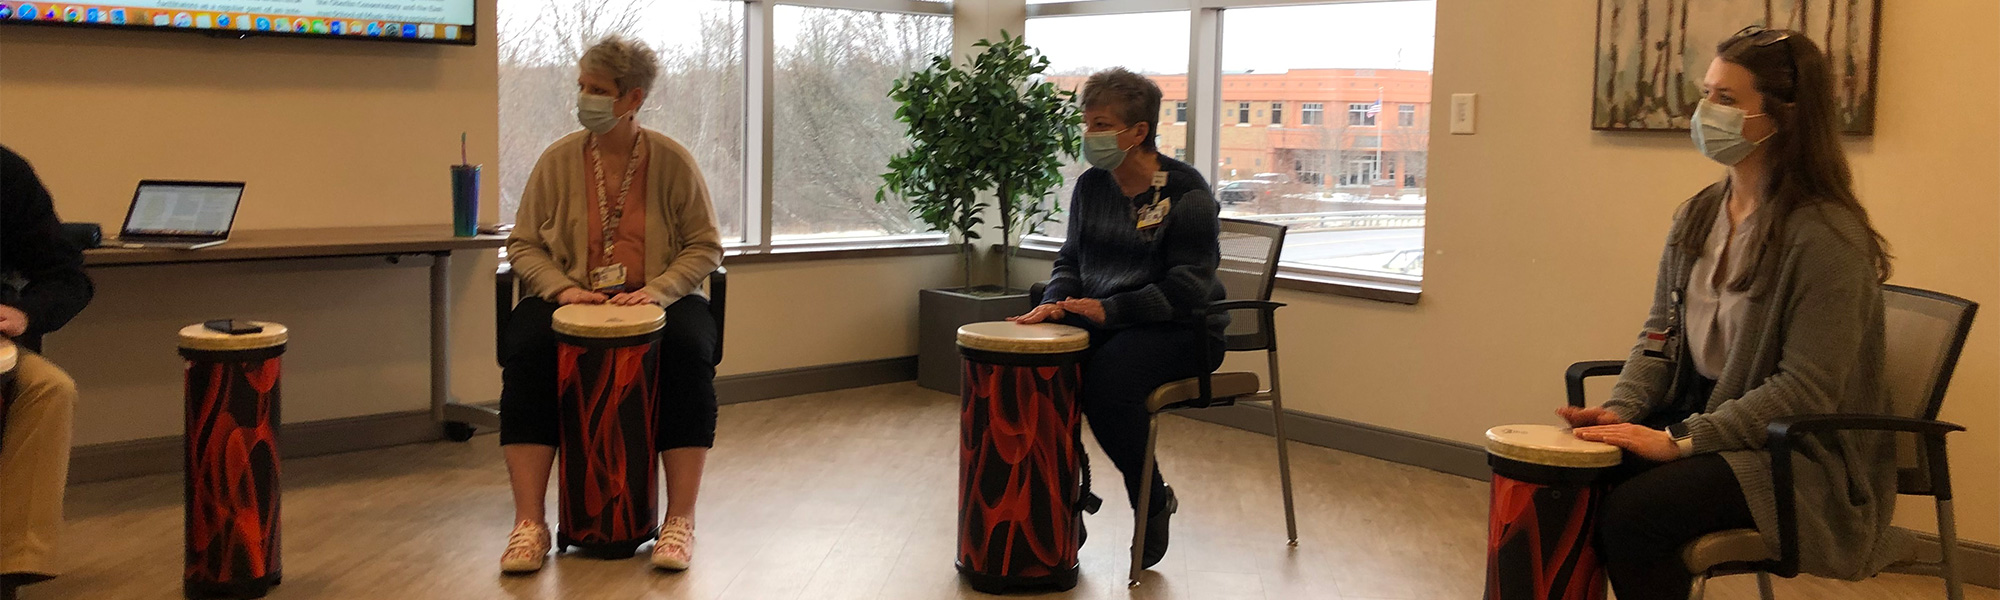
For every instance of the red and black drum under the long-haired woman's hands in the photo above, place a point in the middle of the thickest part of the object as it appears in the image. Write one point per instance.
(1545, 511)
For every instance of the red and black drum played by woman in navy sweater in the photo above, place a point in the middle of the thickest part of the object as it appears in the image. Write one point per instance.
(1019, 457)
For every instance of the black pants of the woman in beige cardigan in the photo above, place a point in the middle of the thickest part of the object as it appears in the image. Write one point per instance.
(687, 377)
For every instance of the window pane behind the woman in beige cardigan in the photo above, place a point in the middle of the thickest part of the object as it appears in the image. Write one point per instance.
(697, 97)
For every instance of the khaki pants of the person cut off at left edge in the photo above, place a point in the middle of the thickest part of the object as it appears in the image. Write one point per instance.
(35, 465)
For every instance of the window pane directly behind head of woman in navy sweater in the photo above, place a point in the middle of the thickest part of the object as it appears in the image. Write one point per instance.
(1147, 43)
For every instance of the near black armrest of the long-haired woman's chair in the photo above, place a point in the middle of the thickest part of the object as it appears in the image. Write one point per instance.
(1785, 433)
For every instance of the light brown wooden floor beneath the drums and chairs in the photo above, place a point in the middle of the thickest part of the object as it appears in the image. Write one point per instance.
(845, 495)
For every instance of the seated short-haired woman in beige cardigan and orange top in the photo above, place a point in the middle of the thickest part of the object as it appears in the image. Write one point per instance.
(641, 191)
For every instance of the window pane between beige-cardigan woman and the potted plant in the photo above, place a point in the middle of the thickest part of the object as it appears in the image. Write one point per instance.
(835, 125)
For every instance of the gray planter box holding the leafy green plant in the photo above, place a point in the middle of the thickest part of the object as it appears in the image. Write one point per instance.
(941, 313)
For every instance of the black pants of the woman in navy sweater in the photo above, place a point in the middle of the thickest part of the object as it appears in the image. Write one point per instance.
(1121, 373)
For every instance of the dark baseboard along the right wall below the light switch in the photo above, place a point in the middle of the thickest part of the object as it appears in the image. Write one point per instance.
(1979, 565)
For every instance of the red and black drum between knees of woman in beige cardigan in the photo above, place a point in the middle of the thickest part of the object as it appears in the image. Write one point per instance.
(607, 371)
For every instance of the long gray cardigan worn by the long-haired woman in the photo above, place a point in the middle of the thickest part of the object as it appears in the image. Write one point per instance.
(1811, 343)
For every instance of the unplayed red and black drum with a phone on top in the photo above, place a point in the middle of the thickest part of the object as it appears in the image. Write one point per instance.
(233, 459)
